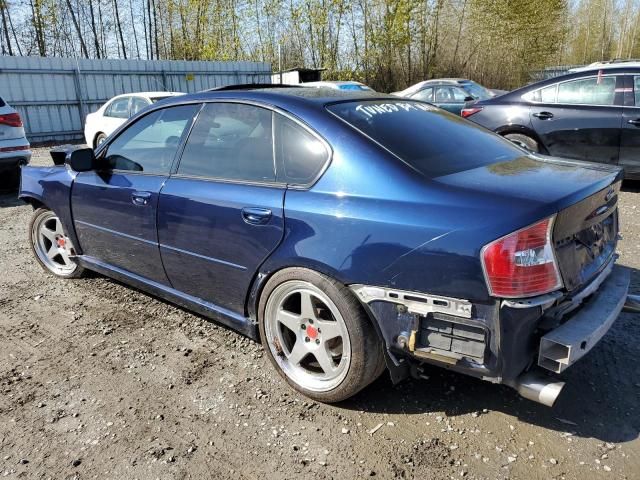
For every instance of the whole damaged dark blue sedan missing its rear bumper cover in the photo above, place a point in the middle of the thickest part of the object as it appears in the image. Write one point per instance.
(348, 232)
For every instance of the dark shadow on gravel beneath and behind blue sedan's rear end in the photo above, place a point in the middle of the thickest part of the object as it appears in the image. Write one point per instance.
(600, 399)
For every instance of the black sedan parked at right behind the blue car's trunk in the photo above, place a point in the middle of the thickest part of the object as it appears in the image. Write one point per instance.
(591, 114)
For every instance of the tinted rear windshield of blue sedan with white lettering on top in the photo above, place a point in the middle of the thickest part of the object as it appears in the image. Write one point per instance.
(432, 141)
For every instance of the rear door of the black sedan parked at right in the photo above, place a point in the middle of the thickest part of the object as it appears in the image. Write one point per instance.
(580, 118)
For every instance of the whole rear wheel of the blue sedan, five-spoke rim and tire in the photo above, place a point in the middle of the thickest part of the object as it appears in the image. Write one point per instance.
(318, 336)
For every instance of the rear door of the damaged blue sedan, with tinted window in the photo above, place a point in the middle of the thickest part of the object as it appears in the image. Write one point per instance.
(221, 212)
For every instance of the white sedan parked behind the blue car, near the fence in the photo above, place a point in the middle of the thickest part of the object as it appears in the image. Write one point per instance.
(101, 123)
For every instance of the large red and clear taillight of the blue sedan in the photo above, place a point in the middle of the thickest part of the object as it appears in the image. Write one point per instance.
(522, 264)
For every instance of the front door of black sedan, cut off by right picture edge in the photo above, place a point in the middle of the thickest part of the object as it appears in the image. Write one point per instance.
(630, 141)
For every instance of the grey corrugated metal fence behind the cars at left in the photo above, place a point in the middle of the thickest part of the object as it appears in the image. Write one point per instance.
(53, 95)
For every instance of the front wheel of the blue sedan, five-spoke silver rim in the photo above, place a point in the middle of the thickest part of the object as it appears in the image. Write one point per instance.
(51, 246)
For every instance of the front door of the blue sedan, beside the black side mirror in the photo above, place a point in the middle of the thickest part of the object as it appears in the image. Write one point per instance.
(115, 207)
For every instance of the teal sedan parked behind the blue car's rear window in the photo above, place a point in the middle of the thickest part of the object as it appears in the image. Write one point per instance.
(451, 94)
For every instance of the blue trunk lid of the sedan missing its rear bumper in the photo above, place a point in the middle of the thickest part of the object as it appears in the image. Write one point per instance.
(584, 197)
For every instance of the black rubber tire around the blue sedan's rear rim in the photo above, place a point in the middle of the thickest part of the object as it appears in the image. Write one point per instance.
(366, 360)
